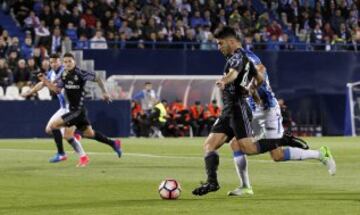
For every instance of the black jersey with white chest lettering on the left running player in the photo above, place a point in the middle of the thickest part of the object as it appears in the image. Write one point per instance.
(73, 83)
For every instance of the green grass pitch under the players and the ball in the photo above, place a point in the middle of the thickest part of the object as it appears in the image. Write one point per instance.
(30, 185)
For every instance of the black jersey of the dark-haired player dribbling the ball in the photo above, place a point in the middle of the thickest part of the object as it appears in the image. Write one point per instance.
(236, 90)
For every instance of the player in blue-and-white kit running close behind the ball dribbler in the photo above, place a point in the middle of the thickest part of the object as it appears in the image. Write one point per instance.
(267, 124)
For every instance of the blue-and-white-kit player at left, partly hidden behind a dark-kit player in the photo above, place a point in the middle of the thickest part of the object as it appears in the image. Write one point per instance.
(68, 133)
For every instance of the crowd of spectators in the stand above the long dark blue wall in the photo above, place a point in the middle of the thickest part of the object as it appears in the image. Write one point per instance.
(271, 25)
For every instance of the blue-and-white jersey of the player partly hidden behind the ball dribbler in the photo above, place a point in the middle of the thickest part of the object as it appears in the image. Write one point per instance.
(265, 92)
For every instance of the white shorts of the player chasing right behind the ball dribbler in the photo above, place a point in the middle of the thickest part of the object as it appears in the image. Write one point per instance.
(267, 123)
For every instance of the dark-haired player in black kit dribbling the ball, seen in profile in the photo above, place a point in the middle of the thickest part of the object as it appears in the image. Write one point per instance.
(240, 77)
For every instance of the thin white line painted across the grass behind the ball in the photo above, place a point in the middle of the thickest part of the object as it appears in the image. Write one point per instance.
(148, 155)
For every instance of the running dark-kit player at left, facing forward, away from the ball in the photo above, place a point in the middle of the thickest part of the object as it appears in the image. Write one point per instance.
(72, 81)
